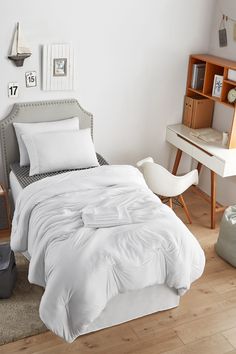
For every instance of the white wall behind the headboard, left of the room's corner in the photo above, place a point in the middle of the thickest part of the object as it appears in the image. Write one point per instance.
(131, 63)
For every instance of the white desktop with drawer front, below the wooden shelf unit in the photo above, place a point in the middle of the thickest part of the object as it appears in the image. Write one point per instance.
(213, 155)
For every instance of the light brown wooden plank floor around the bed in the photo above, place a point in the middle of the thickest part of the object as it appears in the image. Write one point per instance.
(204, 323)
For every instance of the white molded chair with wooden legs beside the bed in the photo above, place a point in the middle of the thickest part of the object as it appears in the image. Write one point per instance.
(165, 184)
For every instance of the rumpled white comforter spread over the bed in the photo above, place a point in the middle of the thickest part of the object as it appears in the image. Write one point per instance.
(133, 241)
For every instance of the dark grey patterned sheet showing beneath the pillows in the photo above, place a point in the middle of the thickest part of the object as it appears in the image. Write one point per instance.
(22, 173)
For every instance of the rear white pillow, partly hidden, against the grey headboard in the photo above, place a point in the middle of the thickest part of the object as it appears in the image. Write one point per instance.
(34, 128)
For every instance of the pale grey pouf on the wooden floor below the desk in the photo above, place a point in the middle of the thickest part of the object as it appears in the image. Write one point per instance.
(226, 243)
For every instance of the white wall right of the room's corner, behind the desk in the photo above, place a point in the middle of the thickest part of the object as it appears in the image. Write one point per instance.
(226, 188)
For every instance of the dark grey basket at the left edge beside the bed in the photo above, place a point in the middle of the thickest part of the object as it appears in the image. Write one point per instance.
(7, 271)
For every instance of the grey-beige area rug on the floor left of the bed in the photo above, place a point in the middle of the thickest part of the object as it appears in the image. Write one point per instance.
(19, 315)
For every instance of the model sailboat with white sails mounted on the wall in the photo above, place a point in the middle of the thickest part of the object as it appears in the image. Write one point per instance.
(19, 51)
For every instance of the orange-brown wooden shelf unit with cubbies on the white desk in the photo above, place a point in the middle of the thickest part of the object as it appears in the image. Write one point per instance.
(214, 66)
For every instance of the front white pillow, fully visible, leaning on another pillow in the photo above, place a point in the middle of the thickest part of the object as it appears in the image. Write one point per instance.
(55, 151)
